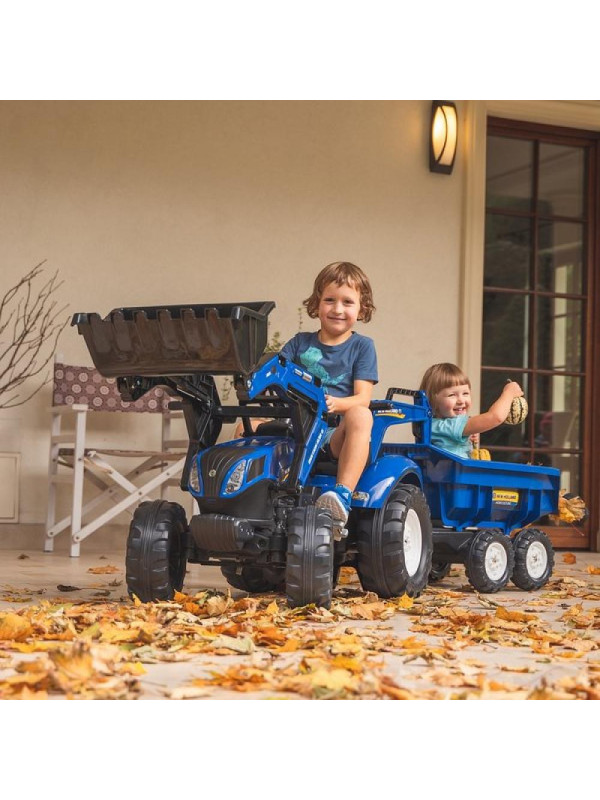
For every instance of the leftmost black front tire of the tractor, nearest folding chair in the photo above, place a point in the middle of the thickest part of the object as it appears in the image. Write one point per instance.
(156, 551)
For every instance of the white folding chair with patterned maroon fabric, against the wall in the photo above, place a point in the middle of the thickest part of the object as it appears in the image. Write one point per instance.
(77, 392)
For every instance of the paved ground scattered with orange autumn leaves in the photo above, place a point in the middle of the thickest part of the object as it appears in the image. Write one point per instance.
(450, 643)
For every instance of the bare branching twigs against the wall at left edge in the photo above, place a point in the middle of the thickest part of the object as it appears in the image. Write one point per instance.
(30, 324)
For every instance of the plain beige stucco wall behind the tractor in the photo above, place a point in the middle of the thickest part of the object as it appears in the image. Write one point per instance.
(169, 202)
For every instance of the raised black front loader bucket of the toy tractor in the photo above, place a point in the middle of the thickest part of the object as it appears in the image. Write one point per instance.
(220, 339)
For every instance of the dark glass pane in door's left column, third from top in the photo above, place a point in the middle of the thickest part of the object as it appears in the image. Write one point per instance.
(505, 329)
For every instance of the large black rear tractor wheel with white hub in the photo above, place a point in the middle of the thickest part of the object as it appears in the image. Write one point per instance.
(385, 564)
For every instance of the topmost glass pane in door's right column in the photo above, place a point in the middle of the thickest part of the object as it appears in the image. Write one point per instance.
(561, 183)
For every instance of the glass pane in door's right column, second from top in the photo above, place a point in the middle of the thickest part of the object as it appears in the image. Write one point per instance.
(560, 248)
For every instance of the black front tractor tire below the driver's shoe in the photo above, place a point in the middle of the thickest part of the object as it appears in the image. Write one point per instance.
(309, 568)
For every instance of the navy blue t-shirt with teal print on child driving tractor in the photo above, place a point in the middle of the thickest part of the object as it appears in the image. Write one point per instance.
(338, 366)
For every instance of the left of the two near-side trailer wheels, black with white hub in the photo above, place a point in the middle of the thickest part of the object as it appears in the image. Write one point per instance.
(490, 561)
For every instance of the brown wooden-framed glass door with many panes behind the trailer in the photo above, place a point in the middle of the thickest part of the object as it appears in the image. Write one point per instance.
(537, 302)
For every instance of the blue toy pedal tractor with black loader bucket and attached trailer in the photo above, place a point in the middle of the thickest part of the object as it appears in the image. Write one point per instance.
(256, 495)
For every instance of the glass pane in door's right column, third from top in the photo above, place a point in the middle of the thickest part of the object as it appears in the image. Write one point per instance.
(559, 334)
